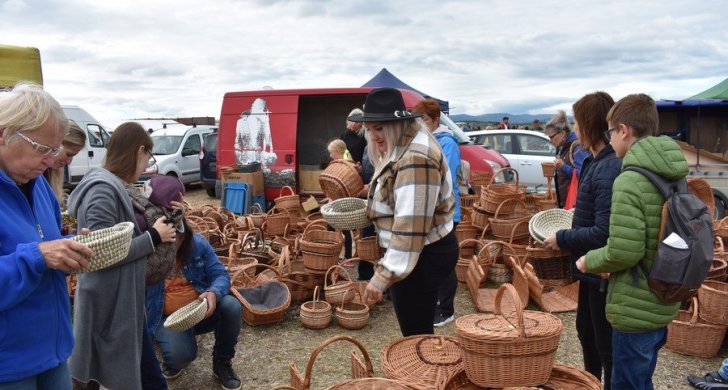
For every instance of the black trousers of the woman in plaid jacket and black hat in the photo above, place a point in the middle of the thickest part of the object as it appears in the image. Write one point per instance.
(415, 297)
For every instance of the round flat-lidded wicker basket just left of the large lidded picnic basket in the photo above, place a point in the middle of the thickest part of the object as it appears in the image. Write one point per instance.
(424, 360)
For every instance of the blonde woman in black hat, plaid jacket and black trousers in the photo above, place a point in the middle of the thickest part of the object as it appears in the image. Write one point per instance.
(411, 203)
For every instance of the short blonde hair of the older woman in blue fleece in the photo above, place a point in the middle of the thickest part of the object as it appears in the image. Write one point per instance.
(27, 107)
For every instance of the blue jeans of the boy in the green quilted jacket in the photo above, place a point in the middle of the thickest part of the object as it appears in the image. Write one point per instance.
(635, 357)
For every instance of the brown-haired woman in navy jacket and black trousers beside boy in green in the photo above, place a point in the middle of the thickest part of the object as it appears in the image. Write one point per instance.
(590, 230)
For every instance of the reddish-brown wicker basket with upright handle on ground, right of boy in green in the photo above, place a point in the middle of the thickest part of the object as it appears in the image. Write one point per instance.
(688, 335)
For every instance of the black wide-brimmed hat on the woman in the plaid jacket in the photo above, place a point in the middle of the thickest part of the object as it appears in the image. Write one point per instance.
(384, 105)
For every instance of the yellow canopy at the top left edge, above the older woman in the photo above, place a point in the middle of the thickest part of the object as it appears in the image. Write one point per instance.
(18, 64)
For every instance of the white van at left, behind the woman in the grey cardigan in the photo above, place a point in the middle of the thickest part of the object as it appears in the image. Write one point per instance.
(92, 155)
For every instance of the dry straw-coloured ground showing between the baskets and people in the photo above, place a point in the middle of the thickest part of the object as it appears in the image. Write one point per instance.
(264, 353)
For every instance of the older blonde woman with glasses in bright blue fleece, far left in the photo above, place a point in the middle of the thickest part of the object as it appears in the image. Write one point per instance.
(35, 325)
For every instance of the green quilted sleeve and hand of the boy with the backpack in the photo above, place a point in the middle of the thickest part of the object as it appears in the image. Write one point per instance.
(627, 231)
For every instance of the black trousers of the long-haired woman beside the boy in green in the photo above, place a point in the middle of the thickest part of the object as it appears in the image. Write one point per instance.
(595, 332)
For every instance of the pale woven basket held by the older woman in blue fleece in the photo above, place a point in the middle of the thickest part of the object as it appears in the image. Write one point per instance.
(110, 246)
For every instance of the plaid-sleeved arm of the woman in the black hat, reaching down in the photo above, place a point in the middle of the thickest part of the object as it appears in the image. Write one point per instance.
(416, 189)
